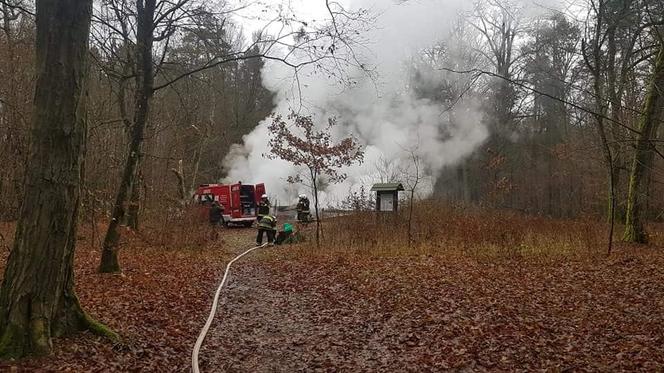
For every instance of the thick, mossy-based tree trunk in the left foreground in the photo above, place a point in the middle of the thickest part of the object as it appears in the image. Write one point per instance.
(37, 298)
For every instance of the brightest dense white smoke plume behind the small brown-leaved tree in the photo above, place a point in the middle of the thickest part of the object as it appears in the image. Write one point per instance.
(383, 114)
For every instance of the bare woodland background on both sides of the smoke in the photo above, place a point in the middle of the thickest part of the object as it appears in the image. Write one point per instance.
(563, 94)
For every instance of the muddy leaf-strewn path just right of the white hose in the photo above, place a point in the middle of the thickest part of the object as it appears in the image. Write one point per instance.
(266, 325)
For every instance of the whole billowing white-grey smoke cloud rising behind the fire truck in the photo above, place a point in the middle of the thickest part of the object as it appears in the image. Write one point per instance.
(390, 110)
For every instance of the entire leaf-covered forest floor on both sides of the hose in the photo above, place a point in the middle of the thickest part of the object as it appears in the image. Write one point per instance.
(291, 309)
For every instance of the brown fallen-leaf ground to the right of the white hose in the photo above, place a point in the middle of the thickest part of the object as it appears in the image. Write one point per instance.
(428, 313)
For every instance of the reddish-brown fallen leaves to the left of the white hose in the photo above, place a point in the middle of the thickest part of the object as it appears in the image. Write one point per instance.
(158, 304)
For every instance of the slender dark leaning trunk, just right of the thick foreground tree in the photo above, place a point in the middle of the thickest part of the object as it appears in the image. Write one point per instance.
(144, 89)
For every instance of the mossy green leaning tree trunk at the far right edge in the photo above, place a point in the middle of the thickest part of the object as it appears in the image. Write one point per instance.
(643, 155)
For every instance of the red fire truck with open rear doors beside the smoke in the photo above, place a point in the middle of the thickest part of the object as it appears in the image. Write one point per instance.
(240, 201)
